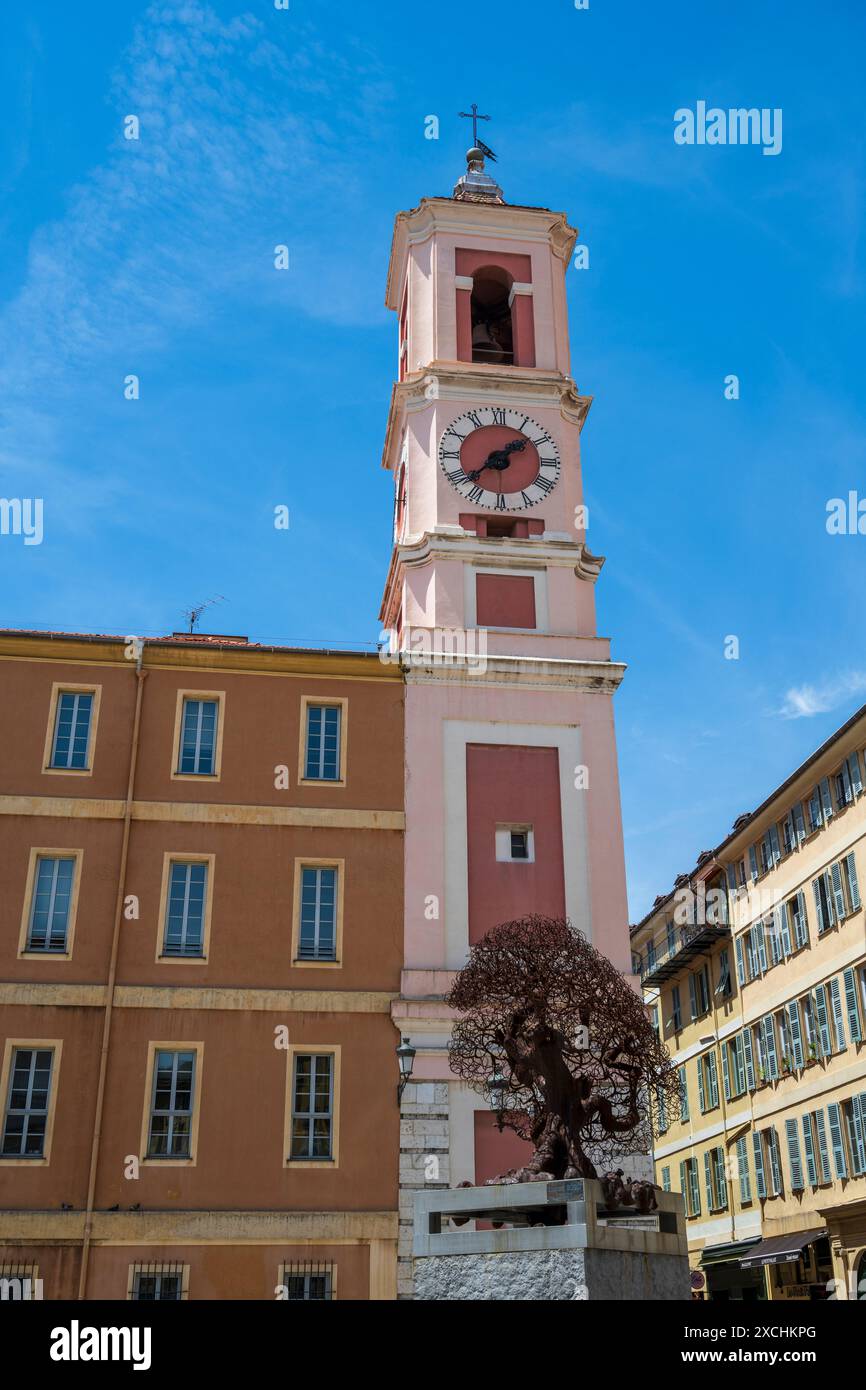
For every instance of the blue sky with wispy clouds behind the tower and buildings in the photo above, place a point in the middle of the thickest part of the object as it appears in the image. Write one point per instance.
(307, 129)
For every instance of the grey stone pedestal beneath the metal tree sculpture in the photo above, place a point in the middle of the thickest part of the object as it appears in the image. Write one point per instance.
(557, 1242)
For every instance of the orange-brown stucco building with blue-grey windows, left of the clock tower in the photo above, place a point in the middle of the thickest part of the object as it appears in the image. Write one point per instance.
(201, 940)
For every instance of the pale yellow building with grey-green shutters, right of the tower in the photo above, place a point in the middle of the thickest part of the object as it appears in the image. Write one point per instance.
(755, 970)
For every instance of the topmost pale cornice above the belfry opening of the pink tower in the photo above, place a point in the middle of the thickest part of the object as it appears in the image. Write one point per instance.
(505, 222)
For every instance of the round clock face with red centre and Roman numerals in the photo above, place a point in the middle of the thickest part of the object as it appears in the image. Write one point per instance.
(500, 458)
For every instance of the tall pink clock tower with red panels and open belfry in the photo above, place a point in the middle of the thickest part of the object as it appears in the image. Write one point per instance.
(512, 790)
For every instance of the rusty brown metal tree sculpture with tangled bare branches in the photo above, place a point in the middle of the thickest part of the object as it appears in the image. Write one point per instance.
(579, 1068)
